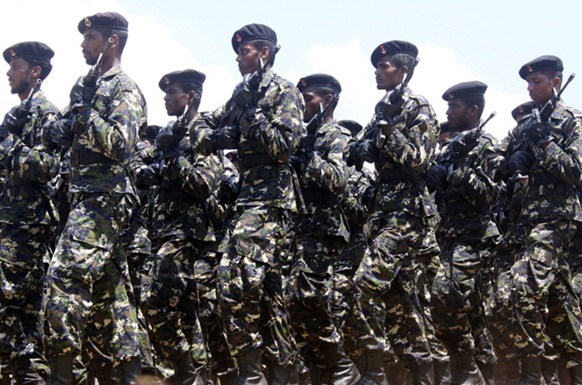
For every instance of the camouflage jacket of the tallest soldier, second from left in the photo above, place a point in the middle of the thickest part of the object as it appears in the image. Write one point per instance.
(106, 135)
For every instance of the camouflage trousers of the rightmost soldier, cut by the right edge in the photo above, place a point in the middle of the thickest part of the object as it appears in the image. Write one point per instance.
(546, 307)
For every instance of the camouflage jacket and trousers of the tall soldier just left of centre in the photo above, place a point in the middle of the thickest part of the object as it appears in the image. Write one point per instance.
(249, 275)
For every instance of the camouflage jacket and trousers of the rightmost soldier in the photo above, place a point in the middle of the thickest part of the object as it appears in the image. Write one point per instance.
(546, 308)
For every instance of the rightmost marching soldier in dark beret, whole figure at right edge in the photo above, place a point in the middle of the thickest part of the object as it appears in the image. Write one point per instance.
(546, 146)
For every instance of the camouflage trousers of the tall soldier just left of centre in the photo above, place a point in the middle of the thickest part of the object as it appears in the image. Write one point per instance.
(250, 286)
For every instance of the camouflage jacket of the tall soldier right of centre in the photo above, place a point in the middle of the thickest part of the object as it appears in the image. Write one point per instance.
(403, 158)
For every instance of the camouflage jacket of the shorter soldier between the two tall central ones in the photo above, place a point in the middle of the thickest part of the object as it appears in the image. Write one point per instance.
(323, 180)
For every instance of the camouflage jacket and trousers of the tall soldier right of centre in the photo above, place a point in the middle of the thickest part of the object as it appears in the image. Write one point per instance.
(386, 295)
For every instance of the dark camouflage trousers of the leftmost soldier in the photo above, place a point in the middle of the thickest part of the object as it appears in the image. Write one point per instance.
(22, 272)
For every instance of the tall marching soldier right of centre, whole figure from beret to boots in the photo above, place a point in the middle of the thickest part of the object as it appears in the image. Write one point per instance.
(400, 141)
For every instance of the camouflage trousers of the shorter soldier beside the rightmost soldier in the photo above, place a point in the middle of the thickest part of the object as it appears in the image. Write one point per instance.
(457, 300)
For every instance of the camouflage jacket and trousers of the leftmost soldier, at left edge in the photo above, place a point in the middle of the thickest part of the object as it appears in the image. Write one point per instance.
(27, 224)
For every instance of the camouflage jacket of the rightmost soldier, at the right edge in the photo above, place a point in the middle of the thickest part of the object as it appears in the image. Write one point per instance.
(557, 170)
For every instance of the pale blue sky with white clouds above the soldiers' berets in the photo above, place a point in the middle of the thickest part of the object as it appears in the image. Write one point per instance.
(458, 41)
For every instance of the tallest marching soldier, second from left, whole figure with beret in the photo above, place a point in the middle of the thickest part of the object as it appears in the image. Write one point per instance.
(89, 264)
